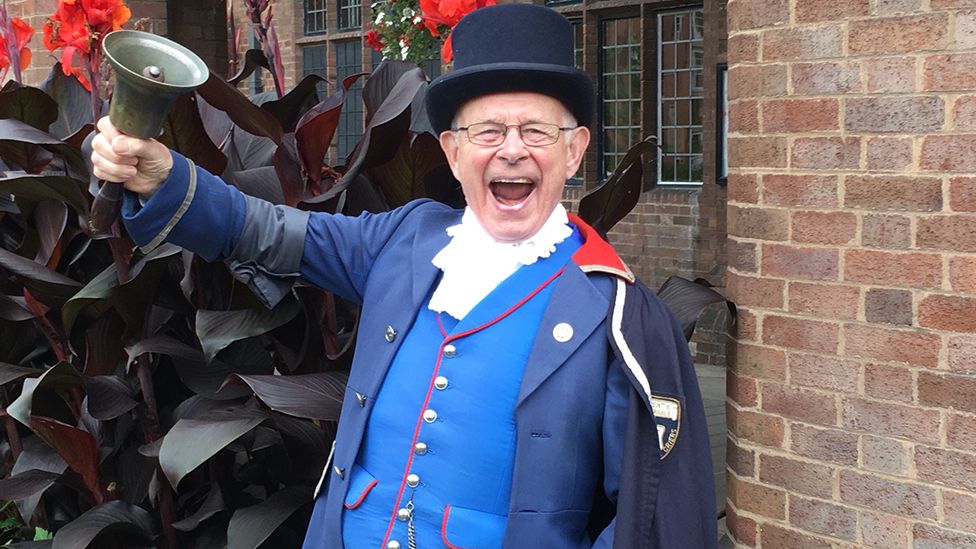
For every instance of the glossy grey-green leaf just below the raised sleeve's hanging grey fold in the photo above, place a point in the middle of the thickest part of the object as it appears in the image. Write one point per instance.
(218, 329)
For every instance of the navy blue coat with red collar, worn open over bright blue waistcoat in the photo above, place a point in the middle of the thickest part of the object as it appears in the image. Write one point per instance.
(583, 421)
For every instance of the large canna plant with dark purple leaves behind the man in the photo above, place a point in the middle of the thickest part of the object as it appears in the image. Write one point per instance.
(167, 406)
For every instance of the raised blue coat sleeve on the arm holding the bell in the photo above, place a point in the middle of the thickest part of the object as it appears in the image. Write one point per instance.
(266, 246)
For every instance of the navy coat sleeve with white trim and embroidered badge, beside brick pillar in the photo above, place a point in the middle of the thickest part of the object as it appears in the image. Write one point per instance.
(667, 494)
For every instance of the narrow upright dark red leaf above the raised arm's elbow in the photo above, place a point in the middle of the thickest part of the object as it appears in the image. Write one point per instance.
(316, 128)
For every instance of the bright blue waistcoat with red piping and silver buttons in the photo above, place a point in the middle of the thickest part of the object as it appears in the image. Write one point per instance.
(439, 446)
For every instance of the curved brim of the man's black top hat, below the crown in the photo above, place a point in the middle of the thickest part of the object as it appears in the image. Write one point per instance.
(569, 85)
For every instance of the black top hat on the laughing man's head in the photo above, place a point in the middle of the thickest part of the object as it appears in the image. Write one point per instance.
(511, 48)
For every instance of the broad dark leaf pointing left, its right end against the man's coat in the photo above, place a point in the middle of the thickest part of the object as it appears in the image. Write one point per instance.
(311, 396)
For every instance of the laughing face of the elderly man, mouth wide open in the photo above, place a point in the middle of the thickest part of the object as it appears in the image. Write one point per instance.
(512, 188)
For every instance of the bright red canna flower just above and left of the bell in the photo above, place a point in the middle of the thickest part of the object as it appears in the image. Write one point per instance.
(78, 27)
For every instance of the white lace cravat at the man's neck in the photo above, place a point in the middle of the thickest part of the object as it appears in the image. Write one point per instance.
(474, 263)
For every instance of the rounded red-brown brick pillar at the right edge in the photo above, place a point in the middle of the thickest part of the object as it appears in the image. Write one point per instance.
(852, 256)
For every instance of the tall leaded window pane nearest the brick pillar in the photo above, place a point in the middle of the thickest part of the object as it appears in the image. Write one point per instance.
(680, 119)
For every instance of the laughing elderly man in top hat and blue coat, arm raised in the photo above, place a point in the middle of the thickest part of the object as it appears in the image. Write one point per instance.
(513, 385)
